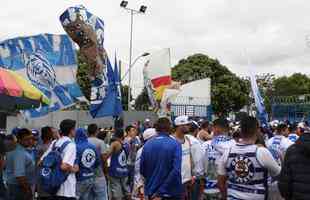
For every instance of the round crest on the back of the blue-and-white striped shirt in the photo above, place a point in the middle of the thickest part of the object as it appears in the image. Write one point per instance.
(243, 169)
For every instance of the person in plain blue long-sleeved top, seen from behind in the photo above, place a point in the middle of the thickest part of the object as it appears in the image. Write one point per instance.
(160, 164)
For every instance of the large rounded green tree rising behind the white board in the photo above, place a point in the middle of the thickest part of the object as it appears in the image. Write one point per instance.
(228, 91)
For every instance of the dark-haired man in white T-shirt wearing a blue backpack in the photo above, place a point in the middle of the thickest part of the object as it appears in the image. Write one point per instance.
(67, 190)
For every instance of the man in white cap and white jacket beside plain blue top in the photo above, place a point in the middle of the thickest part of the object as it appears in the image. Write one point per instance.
(193, 162)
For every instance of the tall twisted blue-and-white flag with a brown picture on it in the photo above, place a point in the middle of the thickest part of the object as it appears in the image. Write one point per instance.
(87, 30)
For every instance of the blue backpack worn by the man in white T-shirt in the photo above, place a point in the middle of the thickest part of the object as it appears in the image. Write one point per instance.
(51, 176)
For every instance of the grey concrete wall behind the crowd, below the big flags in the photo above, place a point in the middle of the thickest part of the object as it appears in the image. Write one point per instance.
(83, 118)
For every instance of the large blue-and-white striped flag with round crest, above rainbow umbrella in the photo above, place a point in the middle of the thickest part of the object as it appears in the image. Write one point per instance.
(49, 62)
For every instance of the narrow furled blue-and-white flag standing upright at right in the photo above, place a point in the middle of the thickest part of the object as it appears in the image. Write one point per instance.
(259, 102)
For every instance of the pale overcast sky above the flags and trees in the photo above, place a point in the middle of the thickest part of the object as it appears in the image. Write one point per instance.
(273, 35)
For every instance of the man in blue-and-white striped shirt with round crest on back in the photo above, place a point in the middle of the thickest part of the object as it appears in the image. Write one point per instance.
(243, 169)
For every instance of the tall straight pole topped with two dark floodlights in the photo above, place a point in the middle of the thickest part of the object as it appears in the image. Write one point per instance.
(132, 12)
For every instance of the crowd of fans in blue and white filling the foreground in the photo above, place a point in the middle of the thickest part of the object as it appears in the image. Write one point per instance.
(164, 160)
